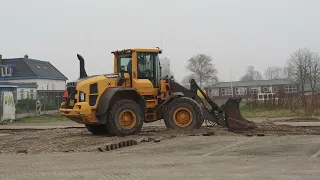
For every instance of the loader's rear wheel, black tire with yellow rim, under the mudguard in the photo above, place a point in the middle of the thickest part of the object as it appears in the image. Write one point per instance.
(125, 117)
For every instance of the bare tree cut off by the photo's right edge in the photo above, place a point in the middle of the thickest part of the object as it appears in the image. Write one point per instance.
(314, 72)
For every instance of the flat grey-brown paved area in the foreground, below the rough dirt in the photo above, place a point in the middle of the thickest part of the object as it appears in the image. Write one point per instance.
(197, 157)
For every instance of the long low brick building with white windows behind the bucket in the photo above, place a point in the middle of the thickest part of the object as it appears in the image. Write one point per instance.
(256, 89)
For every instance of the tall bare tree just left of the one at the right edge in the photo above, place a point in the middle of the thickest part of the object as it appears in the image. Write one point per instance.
(298, 64)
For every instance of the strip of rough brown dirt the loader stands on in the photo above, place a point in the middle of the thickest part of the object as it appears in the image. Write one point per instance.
(78, 139)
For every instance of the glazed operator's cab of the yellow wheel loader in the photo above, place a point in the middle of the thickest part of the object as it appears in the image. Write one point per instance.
(141, 64)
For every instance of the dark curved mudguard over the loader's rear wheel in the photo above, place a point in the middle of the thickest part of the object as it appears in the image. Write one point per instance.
(108, 96)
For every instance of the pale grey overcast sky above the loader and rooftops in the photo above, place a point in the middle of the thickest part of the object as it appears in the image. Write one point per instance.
(236, 33)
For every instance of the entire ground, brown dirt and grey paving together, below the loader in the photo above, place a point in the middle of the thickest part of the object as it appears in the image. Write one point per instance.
(65, 150)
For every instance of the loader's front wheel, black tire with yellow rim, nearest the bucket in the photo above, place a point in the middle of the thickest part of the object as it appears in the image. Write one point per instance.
(183, 113)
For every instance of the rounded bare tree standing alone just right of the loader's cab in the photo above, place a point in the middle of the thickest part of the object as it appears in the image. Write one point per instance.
(202, 69)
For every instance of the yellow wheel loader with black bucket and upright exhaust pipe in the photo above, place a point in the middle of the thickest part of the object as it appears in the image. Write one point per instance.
(136, 93)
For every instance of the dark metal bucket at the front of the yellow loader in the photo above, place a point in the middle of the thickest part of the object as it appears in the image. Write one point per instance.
(234, 120)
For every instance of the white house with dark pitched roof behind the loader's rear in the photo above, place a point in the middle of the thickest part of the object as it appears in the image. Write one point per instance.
(30, 78)
